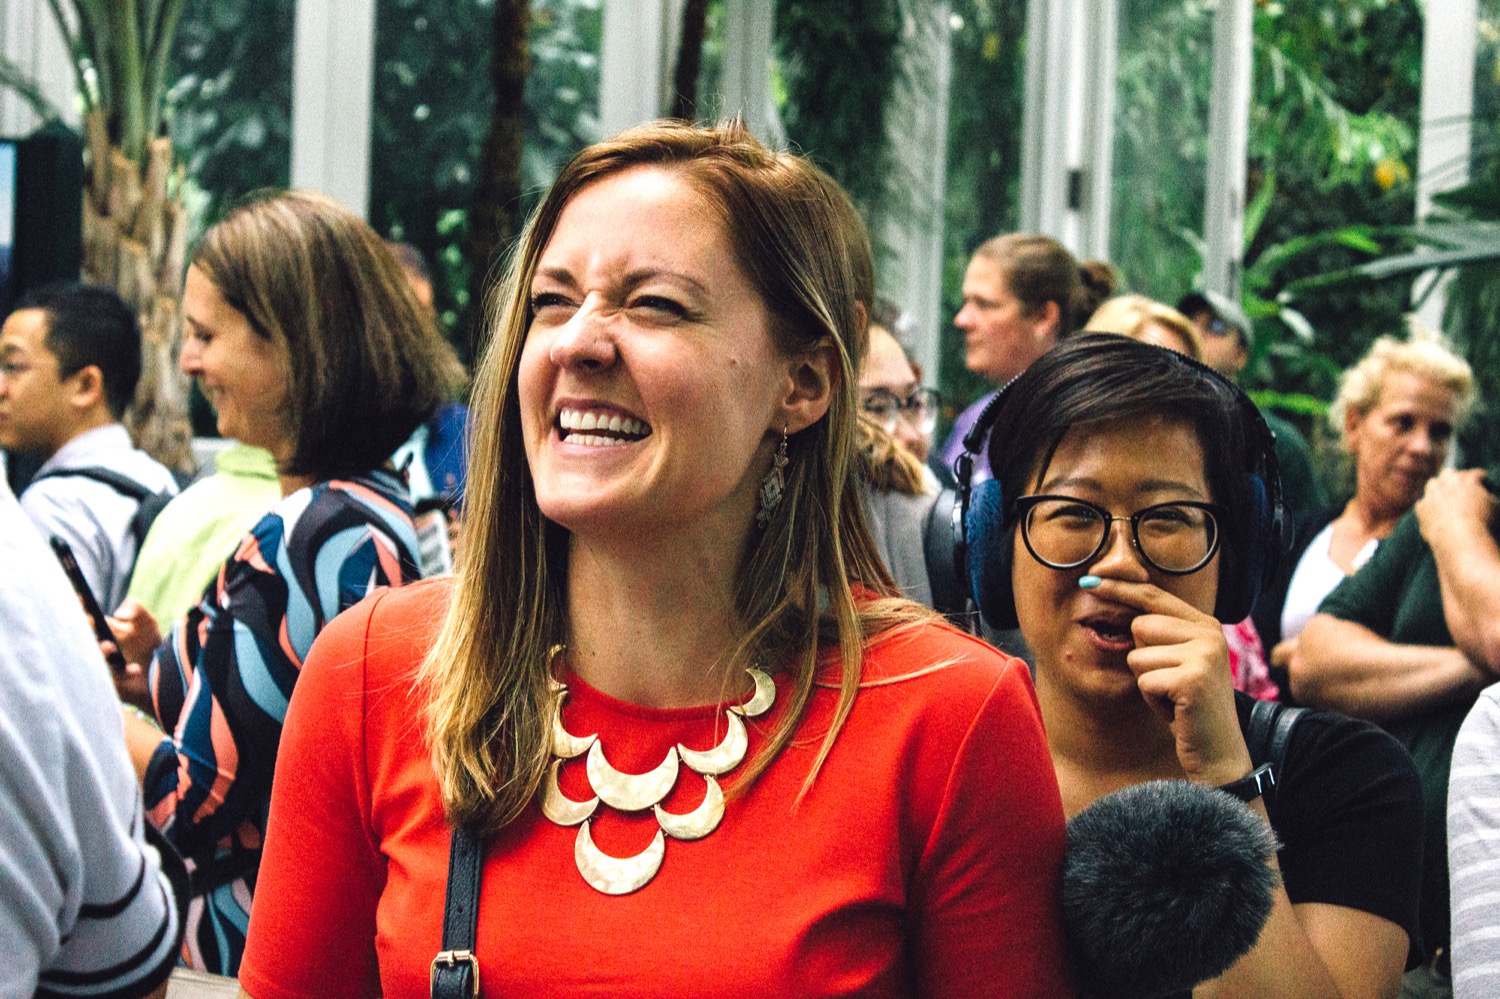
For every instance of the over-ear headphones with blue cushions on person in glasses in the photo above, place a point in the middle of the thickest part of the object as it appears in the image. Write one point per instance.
(985, 521)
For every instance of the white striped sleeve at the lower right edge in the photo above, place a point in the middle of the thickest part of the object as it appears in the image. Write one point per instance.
(1474, 850)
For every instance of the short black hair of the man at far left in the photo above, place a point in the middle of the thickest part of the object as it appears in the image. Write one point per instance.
(91, 325)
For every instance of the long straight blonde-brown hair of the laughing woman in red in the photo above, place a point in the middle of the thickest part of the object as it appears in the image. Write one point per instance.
(488, 674)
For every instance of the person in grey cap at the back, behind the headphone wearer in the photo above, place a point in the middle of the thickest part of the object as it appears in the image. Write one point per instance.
(1228, 343)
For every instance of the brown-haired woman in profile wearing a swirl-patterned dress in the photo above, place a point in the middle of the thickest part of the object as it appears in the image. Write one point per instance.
(308, 343)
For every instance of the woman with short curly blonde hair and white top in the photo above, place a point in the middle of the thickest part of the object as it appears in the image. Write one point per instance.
(1396, 416)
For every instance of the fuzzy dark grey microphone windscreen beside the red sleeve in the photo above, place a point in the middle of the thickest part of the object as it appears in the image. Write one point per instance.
(1166, 886)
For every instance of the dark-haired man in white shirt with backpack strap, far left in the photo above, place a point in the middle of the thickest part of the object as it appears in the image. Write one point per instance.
(70, 361)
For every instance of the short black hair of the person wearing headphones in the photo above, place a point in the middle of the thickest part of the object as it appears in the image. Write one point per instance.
(1097, 379)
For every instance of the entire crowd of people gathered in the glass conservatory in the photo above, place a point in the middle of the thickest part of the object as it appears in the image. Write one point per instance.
(673, 662)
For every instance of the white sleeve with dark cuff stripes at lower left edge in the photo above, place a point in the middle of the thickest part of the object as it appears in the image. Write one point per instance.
(85, 908)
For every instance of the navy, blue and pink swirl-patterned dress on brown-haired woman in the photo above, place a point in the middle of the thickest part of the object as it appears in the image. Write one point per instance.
(223, 680)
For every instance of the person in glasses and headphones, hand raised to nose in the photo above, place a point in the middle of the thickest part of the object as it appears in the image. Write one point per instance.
(1135, 506)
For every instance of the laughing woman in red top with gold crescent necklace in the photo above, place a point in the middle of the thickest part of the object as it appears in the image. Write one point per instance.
(706, 746)
